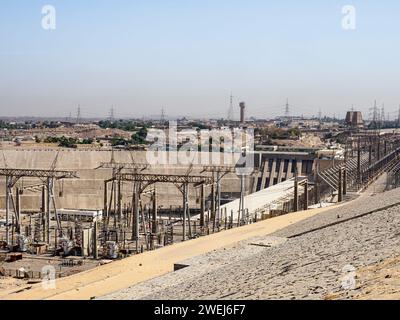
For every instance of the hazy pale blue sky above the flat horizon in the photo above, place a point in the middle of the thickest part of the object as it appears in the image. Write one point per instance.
(189, 55)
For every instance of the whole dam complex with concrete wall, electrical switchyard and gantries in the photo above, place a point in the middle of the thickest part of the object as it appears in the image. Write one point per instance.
(79, 207)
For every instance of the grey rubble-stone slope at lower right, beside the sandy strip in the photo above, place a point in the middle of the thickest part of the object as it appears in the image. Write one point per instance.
(309, 266)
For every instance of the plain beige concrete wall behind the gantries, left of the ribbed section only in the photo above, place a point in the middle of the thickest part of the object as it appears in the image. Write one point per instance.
(87, 191)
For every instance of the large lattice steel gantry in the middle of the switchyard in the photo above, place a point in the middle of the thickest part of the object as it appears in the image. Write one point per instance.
(141, 182)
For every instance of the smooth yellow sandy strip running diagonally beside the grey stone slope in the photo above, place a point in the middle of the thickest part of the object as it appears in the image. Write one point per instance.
(127, 272)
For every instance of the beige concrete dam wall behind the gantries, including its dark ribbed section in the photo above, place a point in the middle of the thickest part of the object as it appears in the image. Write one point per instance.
(87, 191)
